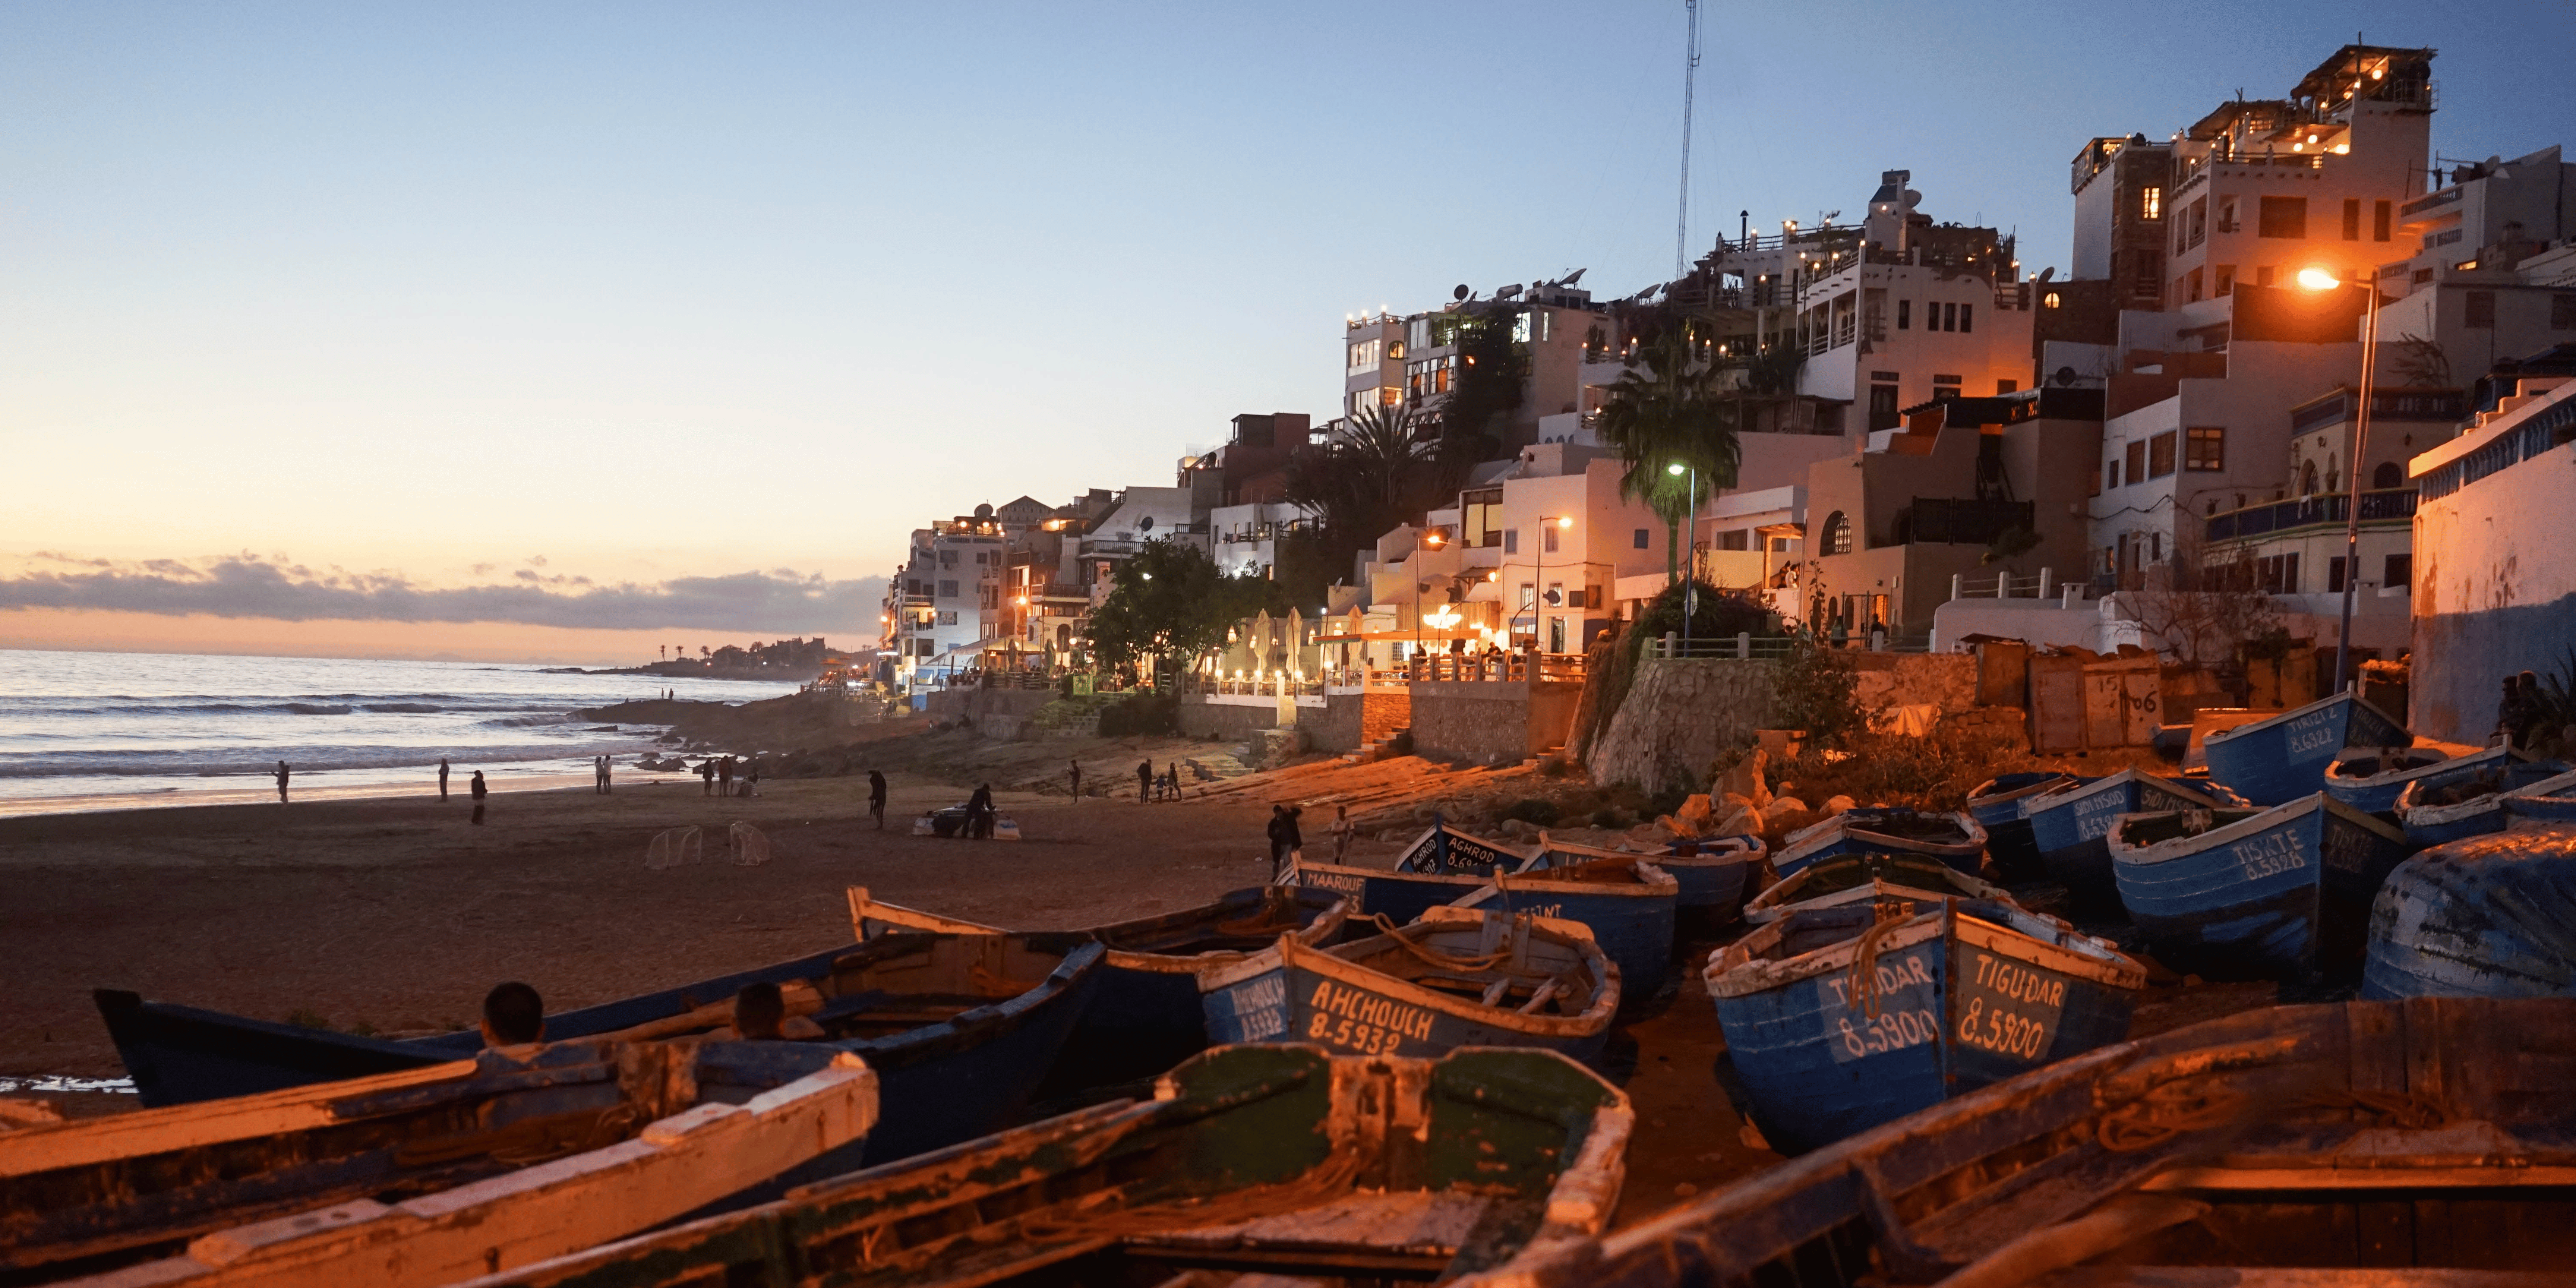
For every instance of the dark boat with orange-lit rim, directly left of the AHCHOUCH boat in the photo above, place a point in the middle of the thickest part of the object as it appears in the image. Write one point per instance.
(1145, 1011)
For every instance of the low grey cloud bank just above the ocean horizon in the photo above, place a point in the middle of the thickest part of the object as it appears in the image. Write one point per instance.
(246, 586)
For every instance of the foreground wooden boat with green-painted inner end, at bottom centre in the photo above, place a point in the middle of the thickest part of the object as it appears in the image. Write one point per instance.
(1279, 1163)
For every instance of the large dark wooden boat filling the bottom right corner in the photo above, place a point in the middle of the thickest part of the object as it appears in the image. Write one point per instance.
(2363, 1145)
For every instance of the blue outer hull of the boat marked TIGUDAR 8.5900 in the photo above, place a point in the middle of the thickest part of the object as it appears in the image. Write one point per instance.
(1954, 1014)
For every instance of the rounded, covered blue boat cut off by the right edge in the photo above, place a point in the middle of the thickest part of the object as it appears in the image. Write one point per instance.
(2479, 918)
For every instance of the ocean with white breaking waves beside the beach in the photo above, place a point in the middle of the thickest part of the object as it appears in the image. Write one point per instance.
(115, 730)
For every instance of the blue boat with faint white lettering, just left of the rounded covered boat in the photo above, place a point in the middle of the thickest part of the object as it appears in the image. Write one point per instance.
(2255, 893)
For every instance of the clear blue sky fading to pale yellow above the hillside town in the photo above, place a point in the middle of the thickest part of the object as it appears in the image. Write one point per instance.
(702, 290)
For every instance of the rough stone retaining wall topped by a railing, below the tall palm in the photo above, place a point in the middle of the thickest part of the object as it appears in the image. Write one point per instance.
(1676, 717)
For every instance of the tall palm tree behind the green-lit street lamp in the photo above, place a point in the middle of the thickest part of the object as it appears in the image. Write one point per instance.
(1671, 416)
